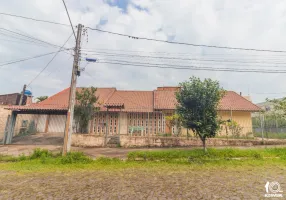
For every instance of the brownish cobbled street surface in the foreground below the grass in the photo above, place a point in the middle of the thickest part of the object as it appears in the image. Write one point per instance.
(153, 183)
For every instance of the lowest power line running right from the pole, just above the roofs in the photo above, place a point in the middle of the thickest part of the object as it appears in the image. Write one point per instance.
(180, 67)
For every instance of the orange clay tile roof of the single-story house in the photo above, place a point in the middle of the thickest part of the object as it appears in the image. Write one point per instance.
(137, 101)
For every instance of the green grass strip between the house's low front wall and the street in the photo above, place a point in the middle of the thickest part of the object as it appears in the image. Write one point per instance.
(45, 161)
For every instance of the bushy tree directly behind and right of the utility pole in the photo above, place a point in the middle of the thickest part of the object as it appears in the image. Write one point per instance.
(85, 107)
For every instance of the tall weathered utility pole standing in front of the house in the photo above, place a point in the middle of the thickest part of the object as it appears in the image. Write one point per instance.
(75, 73)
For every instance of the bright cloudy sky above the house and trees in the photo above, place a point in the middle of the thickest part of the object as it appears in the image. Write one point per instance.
(259, 24)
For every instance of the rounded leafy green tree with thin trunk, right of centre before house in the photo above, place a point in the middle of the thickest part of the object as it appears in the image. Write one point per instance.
(197, 107)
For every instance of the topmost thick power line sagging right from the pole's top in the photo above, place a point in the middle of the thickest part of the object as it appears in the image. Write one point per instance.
(184, 43)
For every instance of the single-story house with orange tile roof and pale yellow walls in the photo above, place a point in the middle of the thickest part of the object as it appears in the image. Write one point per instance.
(131, 112)
